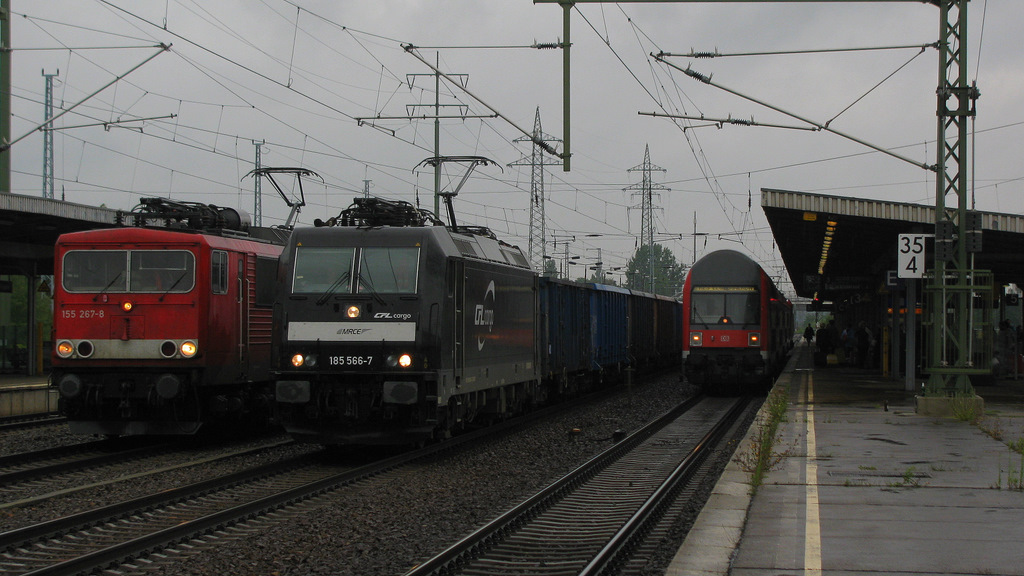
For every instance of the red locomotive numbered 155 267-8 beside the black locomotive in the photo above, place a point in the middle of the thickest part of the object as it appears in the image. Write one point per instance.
(159, 331)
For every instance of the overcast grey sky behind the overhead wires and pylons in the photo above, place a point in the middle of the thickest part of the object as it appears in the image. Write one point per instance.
(296, 74)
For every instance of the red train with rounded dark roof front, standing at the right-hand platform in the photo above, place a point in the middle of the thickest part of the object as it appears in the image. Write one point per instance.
(738, 325)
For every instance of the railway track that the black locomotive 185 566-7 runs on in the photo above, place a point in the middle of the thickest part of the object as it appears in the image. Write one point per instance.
(137, 531)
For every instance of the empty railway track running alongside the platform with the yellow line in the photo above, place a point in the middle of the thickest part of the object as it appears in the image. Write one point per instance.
(588, 522)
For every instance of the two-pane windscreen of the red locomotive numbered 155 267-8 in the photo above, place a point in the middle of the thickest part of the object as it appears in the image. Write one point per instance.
(130, 271)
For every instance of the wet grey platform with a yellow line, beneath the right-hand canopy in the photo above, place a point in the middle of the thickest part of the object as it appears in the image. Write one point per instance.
(864, 485)
